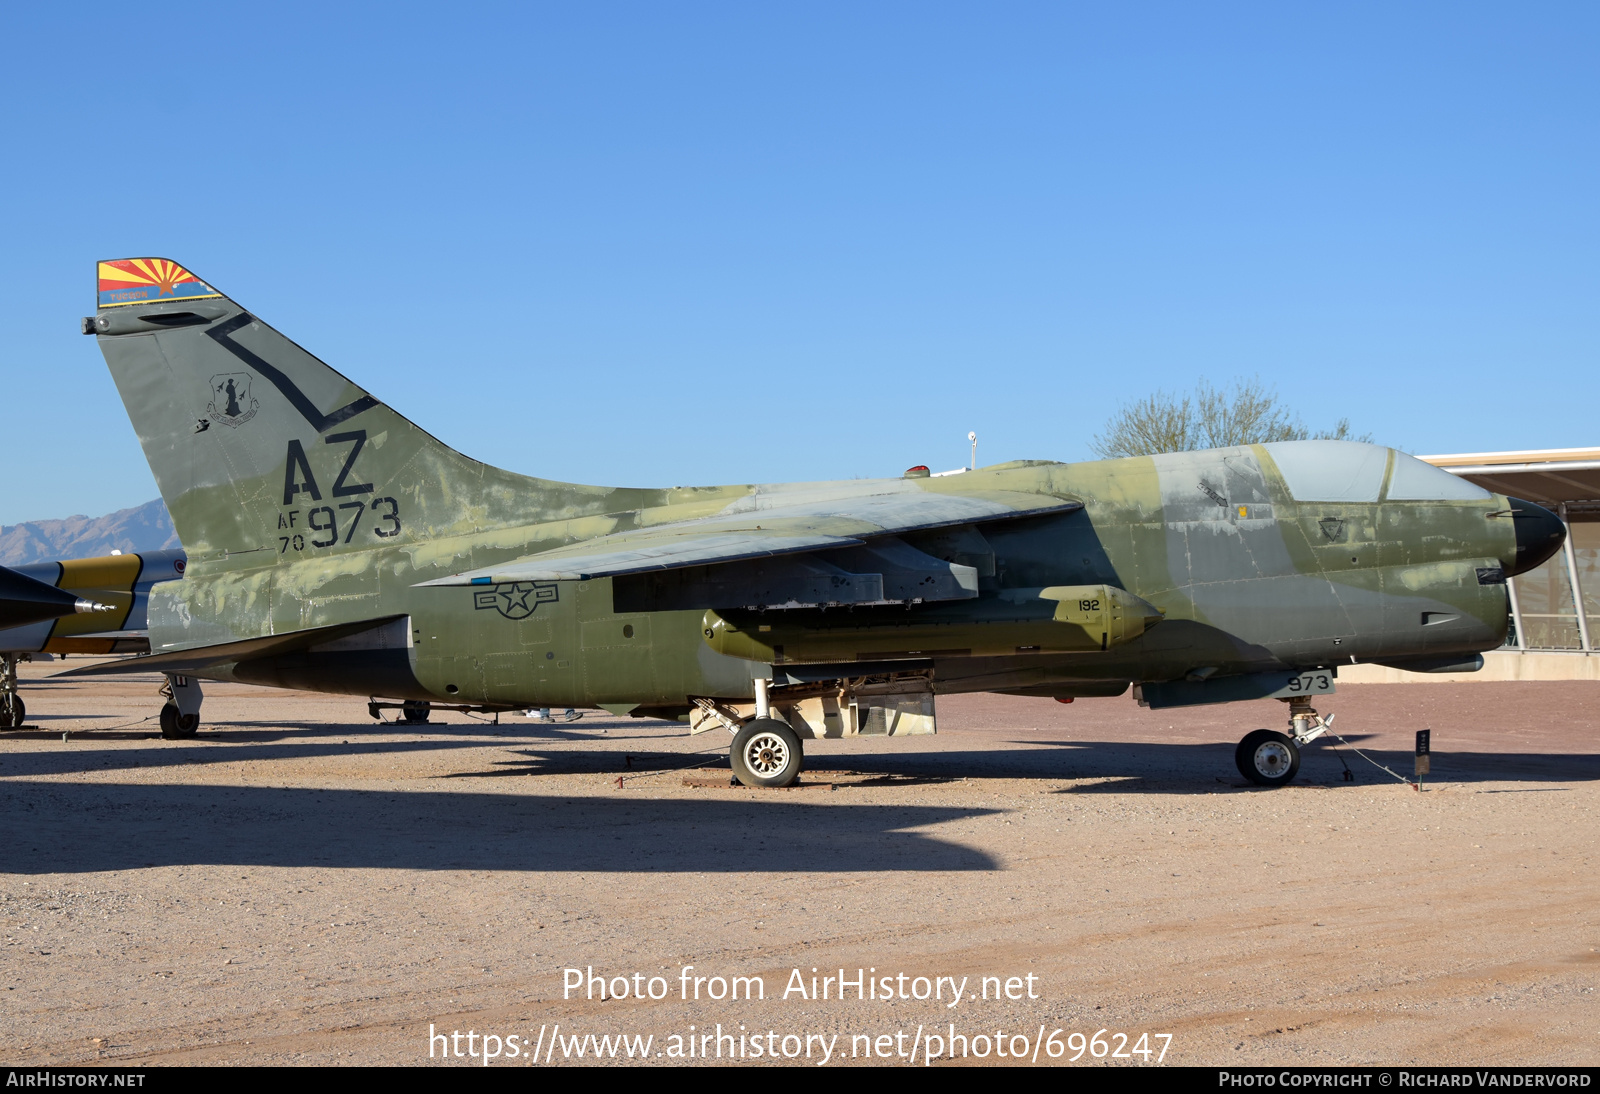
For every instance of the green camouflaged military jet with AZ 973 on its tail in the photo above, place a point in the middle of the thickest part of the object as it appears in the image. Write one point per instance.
(335, 546)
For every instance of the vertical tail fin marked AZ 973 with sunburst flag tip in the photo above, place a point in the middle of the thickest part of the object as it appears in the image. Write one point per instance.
(260, 447)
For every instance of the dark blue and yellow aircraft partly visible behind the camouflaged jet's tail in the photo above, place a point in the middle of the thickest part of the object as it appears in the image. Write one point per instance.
(81, 605)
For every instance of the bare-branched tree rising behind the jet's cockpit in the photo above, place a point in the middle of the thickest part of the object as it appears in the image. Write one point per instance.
(1210, 417)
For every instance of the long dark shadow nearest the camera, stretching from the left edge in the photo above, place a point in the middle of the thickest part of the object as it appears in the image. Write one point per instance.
(76, 828)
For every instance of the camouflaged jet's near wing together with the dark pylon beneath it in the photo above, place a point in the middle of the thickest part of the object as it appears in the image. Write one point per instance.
(850, 548)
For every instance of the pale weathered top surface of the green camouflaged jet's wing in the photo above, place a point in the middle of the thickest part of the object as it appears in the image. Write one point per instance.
(762, 532)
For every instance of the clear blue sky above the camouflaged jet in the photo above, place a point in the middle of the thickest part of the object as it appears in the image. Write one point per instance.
(700, 244)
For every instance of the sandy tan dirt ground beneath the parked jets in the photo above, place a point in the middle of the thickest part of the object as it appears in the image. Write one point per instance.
(302, 885)
